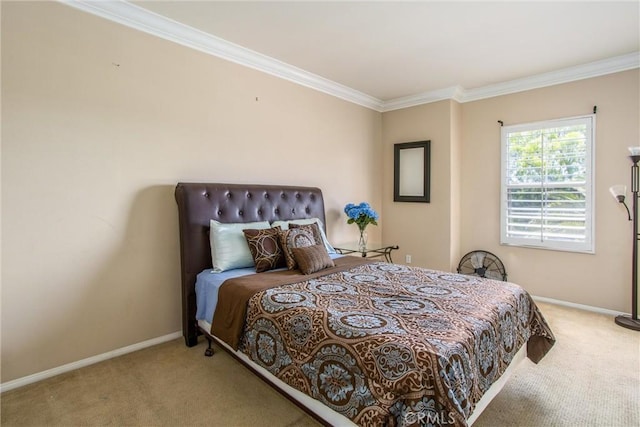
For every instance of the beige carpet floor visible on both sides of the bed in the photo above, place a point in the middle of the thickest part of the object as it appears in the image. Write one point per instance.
(590, 378)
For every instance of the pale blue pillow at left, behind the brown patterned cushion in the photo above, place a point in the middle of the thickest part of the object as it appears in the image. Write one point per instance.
(229, 248)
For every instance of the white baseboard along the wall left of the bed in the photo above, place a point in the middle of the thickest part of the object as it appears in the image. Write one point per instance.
(10, 385)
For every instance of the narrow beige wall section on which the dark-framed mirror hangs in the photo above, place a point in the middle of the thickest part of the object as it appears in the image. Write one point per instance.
(422, 230)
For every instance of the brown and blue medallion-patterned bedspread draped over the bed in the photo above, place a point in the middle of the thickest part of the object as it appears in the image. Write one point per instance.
(386, 344)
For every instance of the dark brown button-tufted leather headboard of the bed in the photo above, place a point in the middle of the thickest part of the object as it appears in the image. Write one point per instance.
(228, 203)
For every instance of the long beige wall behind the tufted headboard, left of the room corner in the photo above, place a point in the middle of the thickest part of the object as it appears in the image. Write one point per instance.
(91, 153)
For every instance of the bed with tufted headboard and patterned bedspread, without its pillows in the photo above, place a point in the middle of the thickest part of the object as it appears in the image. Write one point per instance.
(357, 342)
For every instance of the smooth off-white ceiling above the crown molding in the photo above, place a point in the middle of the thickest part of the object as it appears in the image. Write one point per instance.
(390, 50)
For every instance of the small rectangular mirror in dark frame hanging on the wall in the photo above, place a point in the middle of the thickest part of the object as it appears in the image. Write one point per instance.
(411, 171)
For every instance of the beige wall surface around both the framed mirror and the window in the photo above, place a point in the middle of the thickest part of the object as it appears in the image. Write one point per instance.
(465, 182)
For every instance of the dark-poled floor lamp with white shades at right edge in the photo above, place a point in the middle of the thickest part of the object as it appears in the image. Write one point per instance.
(619, 192)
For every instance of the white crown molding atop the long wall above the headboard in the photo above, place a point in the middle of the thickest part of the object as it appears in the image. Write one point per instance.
(141, 19)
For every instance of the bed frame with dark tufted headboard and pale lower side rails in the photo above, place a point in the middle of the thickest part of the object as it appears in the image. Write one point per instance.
(231, 203)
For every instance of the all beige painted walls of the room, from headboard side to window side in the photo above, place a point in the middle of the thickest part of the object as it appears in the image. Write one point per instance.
(91, 152)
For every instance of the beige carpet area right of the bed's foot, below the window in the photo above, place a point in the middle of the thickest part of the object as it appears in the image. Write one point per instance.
(591, 377)
